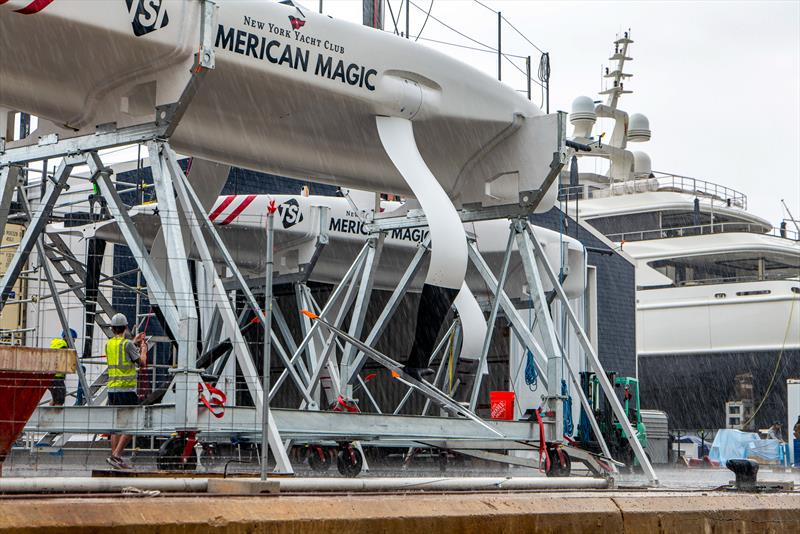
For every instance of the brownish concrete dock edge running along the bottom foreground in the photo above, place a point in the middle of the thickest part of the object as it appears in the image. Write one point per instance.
(464, 513)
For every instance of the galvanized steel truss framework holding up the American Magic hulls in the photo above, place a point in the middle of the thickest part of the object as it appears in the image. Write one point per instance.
(325, 335)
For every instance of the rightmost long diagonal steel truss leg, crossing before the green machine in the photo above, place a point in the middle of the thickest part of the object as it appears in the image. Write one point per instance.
(594, 361)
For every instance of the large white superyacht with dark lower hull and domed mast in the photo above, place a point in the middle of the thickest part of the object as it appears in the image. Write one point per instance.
(718, 288)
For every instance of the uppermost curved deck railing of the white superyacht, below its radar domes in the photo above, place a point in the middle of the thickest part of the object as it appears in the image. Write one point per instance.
(658, 181)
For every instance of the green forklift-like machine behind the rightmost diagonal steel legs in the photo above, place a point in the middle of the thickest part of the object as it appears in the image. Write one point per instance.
(627, 389)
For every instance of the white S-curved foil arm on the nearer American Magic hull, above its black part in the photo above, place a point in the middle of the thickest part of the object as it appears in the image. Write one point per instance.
(448, 262)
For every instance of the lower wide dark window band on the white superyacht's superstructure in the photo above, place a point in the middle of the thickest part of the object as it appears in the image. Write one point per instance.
(728, 267)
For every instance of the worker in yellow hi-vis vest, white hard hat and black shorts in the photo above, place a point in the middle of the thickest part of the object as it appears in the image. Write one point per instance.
(124, 356)
